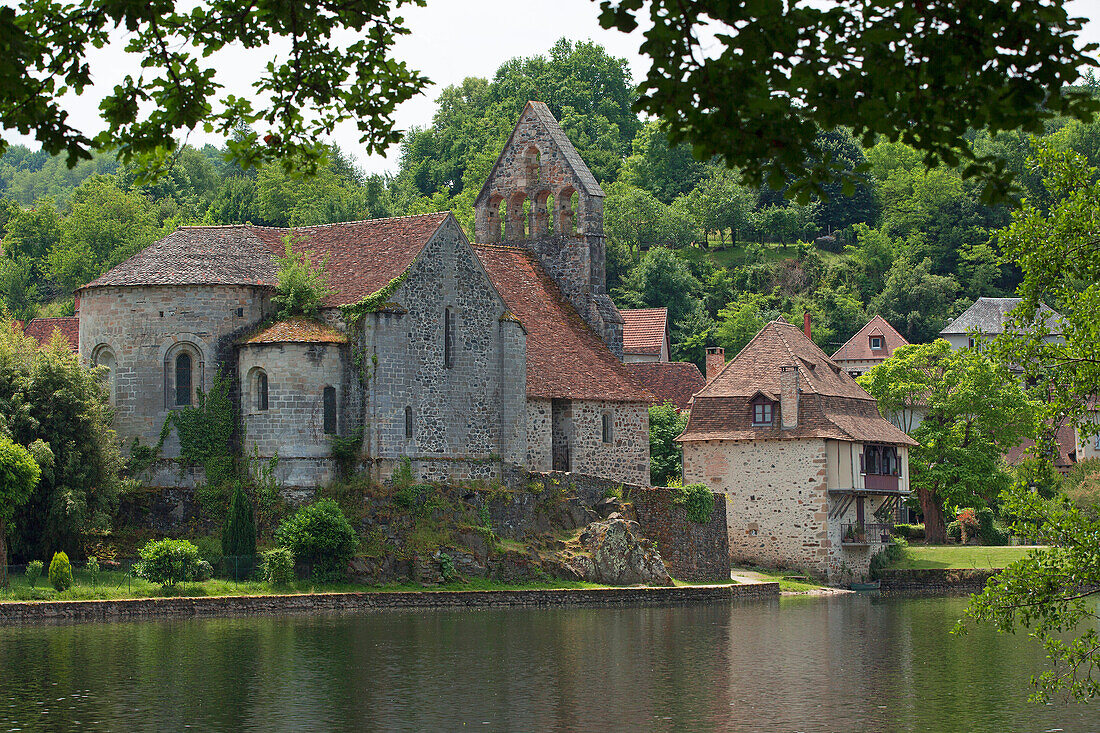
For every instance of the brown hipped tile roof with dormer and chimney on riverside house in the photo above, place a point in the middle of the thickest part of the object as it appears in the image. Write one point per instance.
(831, 404)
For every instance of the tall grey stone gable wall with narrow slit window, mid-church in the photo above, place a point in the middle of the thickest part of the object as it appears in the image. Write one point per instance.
(417, 407)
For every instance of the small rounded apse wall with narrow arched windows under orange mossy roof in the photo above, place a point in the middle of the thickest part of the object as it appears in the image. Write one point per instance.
(293, 426)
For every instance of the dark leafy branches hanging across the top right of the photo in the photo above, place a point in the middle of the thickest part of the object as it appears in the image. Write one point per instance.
(757, 82)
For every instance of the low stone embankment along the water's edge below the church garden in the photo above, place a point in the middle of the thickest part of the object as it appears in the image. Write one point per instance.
(38, 612)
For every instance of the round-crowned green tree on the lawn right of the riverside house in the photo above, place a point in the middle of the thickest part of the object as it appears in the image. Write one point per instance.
(976, 411)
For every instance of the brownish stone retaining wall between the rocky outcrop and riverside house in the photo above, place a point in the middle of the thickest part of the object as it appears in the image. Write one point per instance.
(690, 551)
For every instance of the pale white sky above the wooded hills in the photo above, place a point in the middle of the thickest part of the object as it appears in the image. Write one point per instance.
(450, 40)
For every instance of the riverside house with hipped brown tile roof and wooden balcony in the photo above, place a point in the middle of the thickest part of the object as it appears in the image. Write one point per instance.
(806, 461)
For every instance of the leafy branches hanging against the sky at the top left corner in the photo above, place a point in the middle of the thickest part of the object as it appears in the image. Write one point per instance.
(323, 81)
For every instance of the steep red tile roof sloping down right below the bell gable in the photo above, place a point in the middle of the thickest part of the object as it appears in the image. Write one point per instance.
(565, 356)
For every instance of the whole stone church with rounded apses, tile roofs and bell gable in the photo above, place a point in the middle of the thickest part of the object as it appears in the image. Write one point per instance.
(463, 359)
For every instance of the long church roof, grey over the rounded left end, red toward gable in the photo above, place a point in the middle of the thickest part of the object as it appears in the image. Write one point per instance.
(364, 257)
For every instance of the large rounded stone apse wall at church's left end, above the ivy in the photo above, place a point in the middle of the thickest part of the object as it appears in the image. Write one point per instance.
(146, 327)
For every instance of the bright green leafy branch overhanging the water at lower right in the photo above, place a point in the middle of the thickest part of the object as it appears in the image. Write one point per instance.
(1052, 593)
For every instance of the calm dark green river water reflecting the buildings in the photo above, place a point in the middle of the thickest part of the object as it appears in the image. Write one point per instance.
(842, 664)
